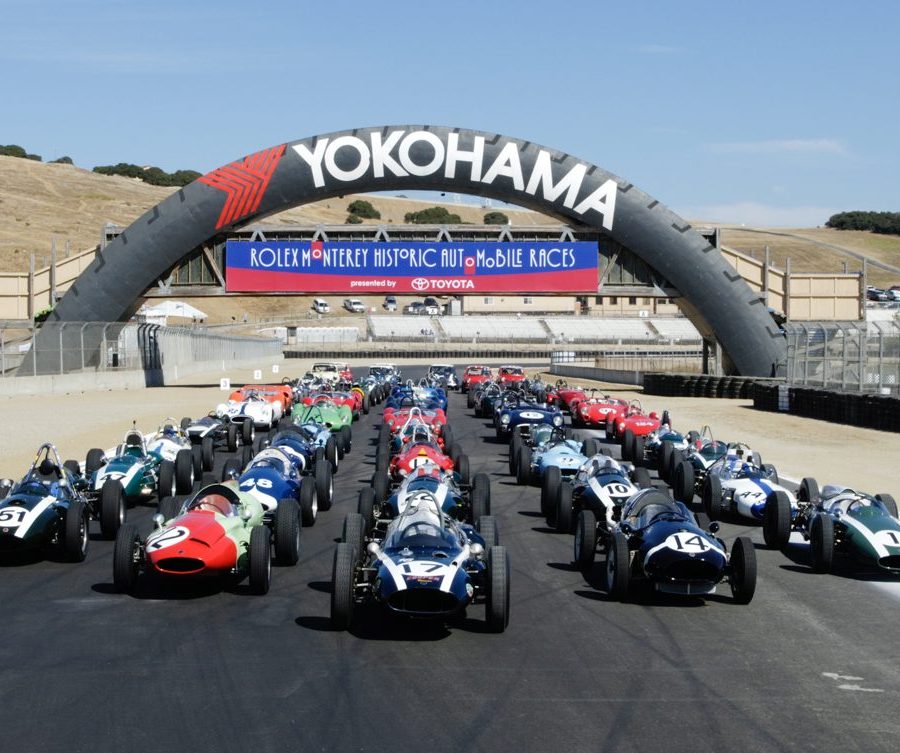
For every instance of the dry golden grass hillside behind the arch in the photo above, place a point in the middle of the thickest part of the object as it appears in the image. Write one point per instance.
(40, 203)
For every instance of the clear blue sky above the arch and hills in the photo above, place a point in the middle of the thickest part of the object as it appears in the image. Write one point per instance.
(766, 113)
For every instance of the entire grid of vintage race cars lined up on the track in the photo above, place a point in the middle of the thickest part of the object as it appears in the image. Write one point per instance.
(422, 542)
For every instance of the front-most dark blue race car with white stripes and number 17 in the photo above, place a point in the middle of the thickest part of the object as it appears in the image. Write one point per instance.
(426, 566)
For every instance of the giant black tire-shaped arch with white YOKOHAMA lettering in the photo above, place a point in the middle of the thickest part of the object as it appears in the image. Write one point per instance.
(716, 298)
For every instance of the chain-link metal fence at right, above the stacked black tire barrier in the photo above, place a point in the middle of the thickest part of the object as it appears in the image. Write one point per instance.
(847, 356)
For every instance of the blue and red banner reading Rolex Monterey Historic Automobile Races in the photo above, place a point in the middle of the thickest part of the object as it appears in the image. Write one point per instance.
(411, 267)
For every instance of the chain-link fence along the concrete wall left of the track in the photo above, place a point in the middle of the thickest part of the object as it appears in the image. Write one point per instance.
(70, 347)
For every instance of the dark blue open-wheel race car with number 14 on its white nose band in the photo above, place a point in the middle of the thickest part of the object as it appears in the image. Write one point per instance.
(658, 540)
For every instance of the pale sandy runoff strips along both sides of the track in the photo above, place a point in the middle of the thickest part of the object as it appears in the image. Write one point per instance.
(832, 453)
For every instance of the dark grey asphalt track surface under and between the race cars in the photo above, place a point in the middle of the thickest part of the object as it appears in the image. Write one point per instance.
(810, 665)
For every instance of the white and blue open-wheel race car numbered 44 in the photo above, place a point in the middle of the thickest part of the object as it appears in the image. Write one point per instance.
(739, 483)
